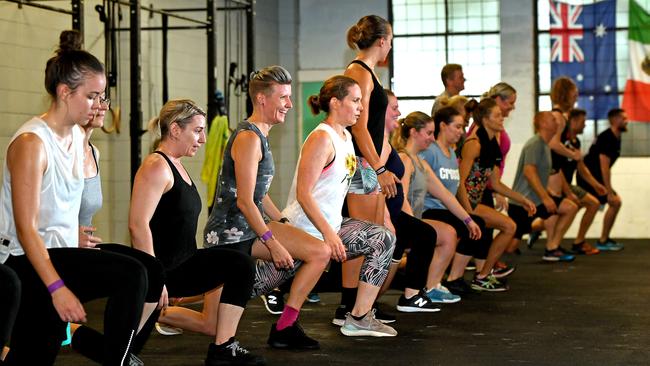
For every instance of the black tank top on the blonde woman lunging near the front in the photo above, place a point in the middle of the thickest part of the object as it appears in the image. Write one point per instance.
(173, 225)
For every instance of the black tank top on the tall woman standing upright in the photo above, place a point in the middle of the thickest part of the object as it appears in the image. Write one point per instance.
(376, 112)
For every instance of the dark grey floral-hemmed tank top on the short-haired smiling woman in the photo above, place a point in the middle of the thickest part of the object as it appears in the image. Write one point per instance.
(226, 224)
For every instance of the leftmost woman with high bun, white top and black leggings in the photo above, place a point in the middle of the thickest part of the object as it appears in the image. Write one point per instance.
(41, 195)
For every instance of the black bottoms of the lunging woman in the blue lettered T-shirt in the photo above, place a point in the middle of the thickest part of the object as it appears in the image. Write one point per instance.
(466, 246)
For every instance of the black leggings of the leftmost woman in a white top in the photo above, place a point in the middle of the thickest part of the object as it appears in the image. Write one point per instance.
(90, 274)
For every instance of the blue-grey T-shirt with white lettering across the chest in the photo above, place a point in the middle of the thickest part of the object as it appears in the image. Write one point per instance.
(445, 168)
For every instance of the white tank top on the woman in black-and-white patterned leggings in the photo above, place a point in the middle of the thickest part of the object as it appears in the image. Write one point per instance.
(330, 188)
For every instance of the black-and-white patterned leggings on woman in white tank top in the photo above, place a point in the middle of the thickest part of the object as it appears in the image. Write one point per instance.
(374, 242)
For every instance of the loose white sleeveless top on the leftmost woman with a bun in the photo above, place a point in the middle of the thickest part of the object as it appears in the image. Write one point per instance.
(60, 195)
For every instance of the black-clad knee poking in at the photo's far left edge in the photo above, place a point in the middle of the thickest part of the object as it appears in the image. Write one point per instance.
(10, 291)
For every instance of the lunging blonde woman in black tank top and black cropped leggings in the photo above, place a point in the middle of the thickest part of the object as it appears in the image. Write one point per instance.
(165, 206)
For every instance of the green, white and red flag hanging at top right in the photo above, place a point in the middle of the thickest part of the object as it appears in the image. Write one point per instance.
(636, 100)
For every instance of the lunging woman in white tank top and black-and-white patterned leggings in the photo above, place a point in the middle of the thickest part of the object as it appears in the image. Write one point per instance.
(325, 169)
